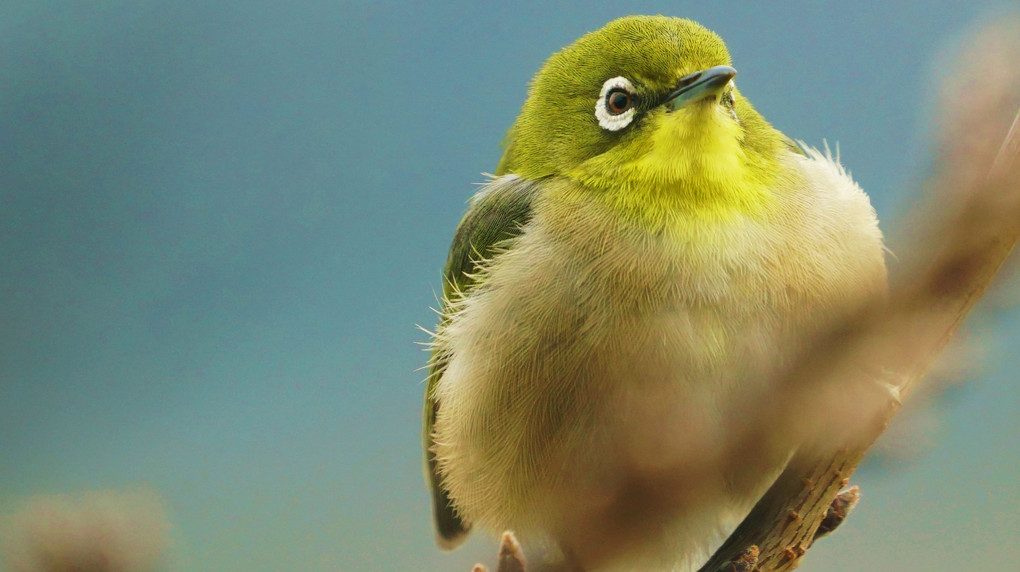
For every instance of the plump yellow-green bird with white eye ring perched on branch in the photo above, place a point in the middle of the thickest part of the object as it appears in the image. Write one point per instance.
(649, 253)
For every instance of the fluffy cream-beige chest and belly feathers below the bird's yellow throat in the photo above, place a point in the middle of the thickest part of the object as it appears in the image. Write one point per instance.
(593, 344)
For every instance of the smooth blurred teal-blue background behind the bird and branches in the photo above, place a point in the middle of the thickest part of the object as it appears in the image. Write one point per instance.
(221, 223)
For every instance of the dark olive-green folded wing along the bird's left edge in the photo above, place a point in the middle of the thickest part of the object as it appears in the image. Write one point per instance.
(496, 216)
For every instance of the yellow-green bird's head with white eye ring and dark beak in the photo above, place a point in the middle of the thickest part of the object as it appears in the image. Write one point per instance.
(645, 114)
